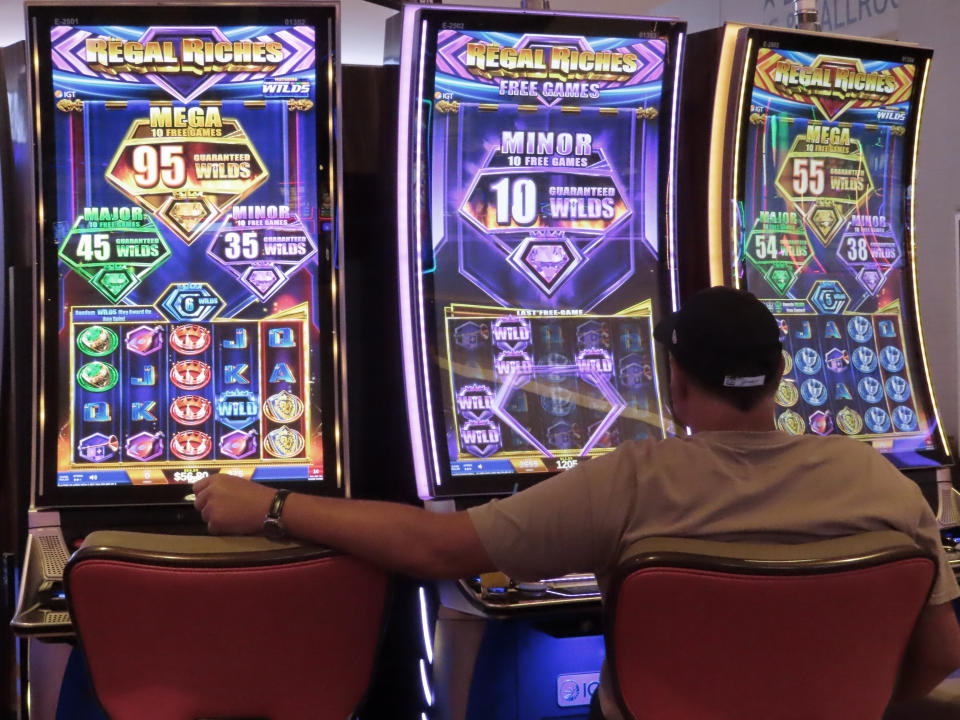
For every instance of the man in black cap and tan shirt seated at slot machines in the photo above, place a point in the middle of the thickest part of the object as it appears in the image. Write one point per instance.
(736, 477)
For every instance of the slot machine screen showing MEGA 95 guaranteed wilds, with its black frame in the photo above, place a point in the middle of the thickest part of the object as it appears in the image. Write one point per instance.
(188, 225)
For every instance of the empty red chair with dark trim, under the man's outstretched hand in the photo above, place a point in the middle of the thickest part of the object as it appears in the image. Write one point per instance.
(181, 628)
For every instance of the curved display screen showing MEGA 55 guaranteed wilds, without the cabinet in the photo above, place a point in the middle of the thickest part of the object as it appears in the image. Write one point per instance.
(828, 152)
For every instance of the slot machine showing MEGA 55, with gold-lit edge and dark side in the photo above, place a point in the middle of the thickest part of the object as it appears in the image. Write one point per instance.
(805, 193)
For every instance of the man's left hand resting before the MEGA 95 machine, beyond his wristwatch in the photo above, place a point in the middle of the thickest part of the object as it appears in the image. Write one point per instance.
(232, 506)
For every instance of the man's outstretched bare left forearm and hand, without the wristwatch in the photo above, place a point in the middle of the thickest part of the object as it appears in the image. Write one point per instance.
(398, 537)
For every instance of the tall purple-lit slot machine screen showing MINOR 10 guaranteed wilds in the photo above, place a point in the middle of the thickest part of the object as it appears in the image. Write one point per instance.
(540, 232)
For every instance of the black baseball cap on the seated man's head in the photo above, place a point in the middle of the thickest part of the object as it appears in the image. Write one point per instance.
(724, 338)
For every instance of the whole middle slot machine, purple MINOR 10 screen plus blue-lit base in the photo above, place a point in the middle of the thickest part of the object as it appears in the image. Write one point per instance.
(536, 252)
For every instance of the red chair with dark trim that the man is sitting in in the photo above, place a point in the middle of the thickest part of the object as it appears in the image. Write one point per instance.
(700, 630)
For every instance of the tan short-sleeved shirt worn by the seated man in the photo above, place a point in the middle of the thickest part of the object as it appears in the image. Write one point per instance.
(726, 486)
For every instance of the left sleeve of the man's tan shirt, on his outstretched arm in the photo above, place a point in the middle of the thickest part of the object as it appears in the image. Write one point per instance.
(570, 523)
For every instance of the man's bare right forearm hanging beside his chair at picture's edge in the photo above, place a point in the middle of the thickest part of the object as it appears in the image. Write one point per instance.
(933, 652)
